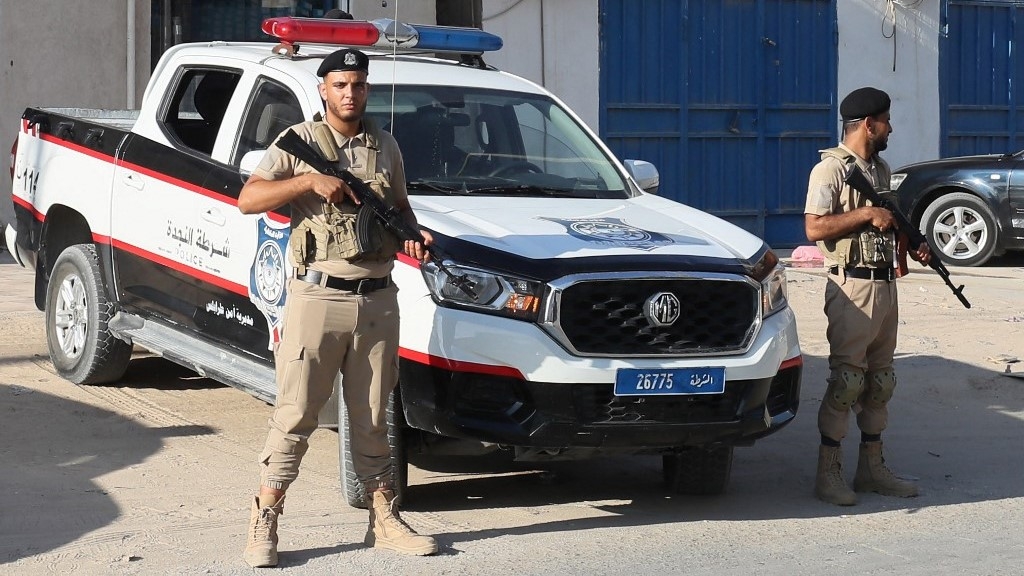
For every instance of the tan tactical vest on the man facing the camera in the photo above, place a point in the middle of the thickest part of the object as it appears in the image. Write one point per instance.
(338, 237)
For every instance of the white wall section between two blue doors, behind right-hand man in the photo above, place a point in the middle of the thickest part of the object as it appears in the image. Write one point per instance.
(867, 59)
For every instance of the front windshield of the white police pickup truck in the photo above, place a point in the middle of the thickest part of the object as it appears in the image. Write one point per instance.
(490, 143)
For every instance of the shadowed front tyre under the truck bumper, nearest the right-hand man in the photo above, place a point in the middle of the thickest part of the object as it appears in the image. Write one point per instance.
(702, 472)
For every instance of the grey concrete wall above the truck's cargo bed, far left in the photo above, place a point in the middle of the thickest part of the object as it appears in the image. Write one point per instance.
(67, 54)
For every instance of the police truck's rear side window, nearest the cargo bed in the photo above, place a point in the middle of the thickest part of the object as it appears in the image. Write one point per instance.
(197, 107)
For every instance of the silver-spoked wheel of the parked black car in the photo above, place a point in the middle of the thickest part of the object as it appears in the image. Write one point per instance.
(961, 228)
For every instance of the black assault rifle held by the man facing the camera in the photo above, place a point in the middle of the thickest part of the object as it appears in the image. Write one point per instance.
(389, 216)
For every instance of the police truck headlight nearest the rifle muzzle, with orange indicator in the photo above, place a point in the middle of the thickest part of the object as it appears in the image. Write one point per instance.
(496, 294)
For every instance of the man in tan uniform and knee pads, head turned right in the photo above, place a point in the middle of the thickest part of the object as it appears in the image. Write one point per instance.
(861, 249)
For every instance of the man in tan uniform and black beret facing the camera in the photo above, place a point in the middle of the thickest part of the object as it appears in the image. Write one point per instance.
(343, 311)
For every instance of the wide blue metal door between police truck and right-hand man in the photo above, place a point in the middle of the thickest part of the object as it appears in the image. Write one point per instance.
(732, 100)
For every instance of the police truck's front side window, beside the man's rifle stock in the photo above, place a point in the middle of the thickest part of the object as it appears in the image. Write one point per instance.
(272, 109)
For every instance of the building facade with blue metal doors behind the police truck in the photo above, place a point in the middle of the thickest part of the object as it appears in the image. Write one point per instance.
(731, 101)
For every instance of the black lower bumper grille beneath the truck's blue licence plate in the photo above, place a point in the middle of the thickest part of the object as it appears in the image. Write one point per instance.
(596, 405)
